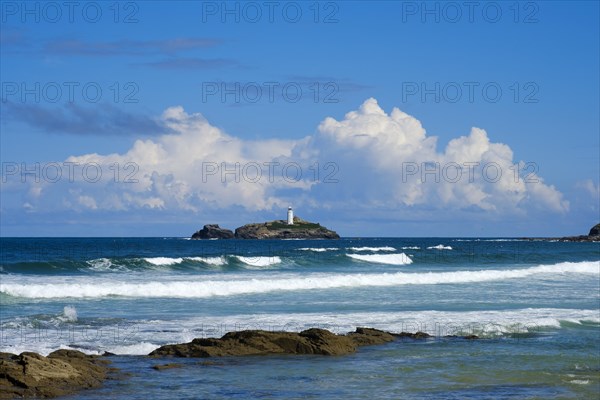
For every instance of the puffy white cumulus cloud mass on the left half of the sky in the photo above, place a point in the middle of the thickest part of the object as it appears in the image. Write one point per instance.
(198, 165)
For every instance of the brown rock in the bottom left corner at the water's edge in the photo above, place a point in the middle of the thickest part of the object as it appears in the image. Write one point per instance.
(62, 372)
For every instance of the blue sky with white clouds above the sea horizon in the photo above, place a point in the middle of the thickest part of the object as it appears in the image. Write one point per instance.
(384, 119)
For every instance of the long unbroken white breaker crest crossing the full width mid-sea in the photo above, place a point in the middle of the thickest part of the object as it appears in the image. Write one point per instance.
(199, 287)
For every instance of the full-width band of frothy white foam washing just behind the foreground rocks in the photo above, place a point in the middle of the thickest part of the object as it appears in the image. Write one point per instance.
(150, 334)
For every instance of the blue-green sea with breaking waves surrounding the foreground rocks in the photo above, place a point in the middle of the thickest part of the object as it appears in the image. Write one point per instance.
(536, 306)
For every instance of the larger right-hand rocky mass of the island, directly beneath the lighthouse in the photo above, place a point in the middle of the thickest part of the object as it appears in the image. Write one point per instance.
(279, 229)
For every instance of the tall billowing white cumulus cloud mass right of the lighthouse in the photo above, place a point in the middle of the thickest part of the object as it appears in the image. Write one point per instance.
(395, 159)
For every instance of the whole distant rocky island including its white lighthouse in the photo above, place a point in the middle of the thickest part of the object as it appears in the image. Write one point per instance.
(292, 228)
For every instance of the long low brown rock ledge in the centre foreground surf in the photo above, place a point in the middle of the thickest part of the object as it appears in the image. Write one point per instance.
(258, 342)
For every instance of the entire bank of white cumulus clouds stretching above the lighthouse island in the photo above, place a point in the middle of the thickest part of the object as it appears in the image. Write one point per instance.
(369, 159)
